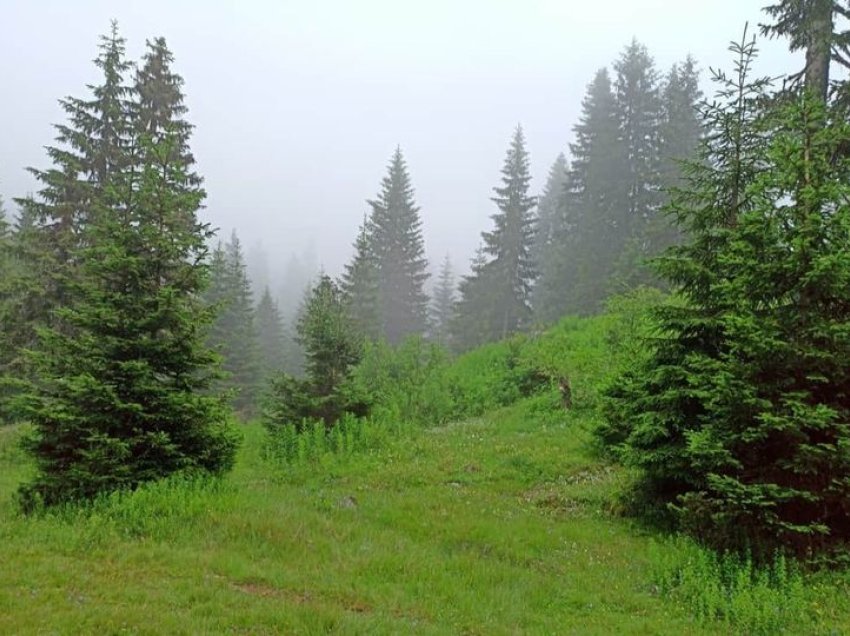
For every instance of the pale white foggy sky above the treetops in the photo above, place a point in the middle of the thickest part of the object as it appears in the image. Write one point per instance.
(298, 105)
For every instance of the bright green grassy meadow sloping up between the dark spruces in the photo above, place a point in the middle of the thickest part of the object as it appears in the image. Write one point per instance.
(503, 522)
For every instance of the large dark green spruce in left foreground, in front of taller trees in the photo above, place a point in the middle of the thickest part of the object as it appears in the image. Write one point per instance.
(117, 398)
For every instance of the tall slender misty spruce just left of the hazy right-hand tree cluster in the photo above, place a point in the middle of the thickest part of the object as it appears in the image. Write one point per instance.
(495, 301)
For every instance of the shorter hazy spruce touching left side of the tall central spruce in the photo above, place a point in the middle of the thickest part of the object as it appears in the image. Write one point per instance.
(359, 285)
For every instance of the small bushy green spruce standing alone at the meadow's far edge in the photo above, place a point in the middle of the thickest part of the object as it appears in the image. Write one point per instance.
(332, 347)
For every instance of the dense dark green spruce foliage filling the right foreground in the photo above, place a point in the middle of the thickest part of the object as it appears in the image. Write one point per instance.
(739, 420)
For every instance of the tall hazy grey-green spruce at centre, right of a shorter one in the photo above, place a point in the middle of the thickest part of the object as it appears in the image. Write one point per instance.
(399, 253)
